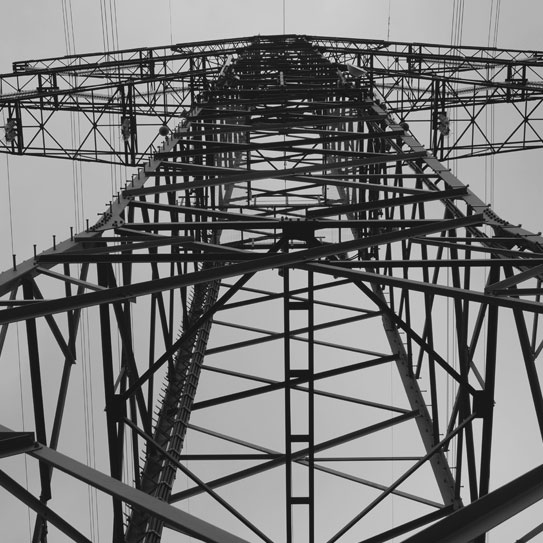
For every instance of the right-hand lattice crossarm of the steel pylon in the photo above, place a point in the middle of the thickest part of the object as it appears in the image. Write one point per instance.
(459, 91)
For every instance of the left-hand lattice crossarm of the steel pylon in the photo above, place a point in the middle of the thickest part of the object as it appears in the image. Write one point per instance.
(135, 91)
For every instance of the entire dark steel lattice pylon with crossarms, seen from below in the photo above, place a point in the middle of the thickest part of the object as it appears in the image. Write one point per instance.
(267, 294)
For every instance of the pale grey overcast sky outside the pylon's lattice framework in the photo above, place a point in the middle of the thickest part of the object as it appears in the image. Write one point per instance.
(37, 195)
